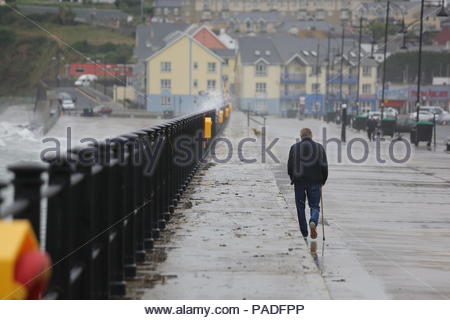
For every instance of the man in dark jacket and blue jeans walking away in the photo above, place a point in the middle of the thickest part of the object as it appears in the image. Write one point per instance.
(308, 170)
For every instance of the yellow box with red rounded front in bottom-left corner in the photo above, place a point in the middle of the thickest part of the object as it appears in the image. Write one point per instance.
(24, 270)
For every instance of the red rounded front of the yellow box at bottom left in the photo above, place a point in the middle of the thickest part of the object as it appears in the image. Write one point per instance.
(33, 269)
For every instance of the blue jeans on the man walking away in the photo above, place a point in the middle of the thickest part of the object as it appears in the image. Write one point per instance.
(312, 191)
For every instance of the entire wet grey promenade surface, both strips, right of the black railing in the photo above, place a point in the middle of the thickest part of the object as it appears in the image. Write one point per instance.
(387, 226)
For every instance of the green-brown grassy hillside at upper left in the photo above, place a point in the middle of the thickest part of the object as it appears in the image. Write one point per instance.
(29, 49)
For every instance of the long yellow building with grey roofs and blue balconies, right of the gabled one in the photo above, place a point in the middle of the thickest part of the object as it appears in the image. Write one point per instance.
(278, 73)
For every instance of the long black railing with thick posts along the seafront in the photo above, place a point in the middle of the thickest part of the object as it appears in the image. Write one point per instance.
(107, 203)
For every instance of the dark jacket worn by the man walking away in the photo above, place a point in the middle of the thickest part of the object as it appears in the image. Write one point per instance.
(308, 162)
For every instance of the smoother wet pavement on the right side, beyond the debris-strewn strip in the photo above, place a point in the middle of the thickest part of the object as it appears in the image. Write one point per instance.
(388, 224)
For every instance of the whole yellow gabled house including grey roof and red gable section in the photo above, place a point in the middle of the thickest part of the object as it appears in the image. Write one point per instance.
(179, 65)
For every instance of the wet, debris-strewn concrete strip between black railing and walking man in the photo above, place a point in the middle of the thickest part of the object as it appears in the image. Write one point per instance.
(235, 239)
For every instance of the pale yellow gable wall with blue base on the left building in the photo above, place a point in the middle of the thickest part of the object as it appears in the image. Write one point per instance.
(181, 74)
